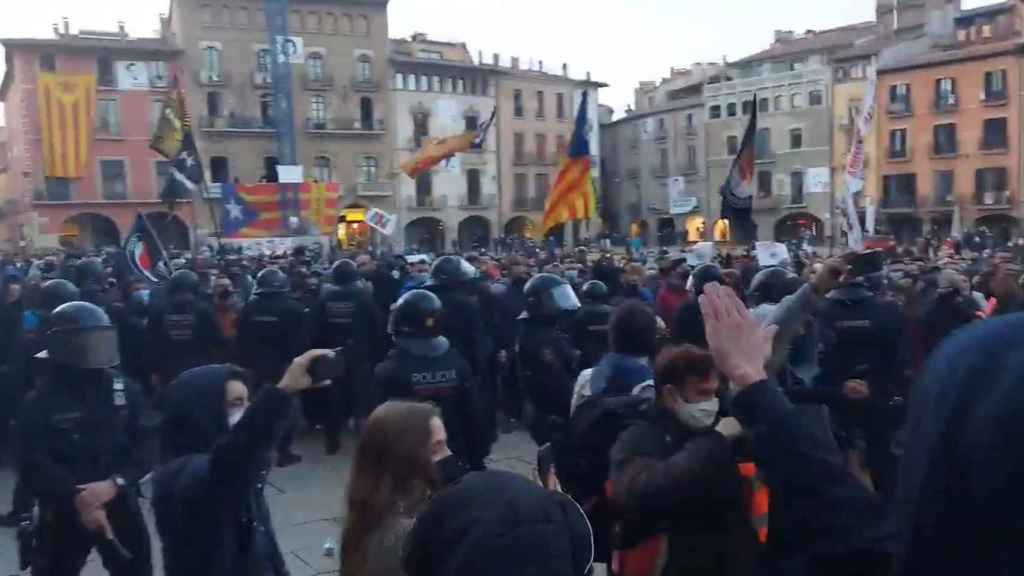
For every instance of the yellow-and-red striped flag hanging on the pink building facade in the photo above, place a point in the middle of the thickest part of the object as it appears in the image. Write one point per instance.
(67, 108)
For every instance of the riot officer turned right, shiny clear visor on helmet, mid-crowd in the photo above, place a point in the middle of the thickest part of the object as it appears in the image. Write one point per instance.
(548, 363)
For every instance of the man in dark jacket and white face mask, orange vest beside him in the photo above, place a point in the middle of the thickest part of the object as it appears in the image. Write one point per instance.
(674, 479)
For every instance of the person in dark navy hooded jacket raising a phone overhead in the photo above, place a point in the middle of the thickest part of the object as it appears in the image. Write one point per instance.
(208, 500)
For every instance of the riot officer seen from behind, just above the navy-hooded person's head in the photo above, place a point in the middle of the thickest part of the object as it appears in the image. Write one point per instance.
(183, 333)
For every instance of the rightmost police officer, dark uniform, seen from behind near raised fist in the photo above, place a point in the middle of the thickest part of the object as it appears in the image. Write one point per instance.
(863, 337)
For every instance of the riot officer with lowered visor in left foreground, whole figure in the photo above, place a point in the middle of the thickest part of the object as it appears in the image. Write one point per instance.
(82, 427)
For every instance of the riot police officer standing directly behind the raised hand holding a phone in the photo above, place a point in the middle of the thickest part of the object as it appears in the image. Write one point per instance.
(348, 317)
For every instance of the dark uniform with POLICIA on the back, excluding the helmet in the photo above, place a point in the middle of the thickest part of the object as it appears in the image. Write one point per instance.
(444, 379)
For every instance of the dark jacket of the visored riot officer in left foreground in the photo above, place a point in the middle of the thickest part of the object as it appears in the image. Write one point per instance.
(81, 427)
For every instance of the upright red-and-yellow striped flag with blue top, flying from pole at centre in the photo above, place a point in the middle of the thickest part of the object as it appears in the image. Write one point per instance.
(573, 196)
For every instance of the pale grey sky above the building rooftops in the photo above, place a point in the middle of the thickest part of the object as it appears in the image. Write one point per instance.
(620, 43)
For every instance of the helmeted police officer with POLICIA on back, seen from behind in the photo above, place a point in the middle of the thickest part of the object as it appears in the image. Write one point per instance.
(424, 367)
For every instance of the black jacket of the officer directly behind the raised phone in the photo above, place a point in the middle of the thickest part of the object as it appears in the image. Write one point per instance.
(348, 317)
